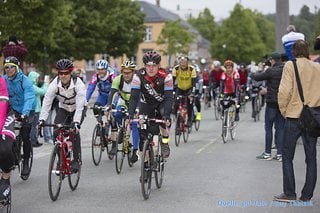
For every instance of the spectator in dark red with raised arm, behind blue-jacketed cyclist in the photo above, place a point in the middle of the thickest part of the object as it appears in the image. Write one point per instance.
(15, 48)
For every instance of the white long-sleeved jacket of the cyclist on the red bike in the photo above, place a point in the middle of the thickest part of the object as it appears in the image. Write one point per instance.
(71, 99)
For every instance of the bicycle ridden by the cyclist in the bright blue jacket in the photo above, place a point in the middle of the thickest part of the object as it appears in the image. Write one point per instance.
(17, 149)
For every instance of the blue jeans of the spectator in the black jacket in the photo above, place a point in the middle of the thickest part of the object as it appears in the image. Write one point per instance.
(273, 116)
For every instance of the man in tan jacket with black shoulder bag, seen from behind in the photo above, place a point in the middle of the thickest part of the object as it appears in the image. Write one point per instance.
(291, 107)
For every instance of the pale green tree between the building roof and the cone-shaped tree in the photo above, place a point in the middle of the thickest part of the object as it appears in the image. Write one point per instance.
(205, 24)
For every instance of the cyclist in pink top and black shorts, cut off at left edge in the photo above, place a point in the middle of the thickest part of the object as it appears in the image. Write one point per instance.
(6, 140)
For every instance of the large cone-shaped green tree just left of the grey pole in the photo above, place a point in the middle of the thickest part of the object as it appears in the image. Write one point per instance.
(238, 38)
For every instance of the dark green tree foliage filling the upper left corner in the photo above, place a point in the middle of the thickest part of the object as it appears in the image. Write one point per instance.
(72, 28)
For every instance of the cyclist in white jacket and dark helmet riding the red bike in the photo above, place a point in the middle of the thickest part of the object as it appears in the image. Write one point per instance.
(70, 93)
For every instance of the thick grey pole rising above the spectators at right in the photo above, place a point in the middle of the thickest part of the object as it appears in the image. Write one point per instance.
(282, 21)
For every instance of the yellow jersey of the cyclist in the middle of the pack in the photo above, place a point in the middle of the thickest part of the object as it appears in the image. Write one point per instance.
(184, 77)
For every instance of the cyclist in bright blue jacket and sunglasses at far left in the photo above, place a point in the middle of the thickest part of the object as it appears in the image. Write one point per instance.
(23, 102)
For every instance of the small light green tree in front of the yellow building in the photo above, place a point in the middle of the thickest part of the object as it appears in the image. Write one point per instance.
(175, 38)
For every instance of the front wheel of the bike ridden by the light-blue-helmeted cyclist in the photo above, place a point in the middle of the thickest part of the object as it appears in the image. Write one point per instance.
(96, 146)
